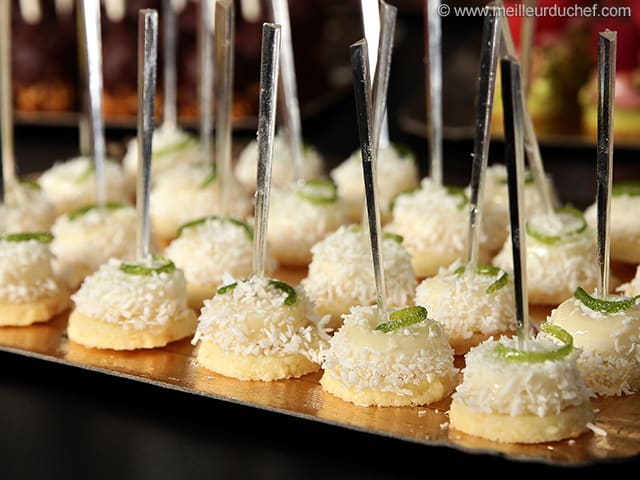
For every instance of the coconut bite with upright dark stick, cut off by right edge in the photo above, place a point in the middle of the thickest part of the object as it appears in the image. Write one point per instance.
(605, 326)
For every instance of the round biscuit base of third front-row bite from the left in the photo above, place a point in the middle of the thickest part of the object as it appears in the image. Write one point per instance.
(253, 367)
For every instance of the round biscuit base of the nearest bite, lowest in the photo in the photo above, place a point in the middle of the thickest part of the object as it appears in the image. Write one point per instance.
(570, 423)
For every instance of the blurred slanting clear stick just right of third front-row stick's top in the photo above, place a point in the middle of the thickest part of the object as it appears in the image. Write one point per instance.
(280, 13)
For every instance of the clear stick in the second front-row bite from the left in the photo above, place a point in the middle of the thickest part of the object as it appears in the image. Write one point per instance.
(147, 64)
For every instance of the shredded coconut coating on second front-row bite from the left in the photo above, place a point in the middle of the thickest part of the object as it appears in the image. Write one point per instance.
(137, 302)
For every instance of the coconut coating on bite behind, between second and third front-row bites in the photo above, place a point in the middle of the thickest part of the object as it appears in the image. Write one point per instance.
(209, 252)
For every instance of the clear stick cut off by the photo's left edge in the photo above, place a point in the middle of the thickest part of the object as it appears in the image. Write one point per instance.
(8, 170)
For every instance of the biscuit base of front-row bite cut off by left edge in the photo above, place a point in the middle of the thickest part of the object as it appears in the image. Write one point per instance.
(23, 314)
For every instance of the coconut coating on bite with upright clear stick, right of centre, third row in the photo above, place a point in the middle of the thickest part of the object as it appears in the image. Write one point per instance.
(431, 222)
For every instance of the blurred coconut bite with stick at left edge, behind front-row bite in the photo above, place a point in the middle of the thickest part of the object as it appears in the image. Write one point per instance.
(23, 207)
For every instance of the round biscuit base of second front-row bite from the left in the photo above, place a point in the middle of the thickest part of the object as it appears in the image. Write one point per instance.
(94, 333)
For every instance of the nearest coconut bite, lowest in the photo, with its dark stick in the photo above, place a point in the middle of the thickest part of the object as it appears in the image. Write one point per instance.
(522, 389)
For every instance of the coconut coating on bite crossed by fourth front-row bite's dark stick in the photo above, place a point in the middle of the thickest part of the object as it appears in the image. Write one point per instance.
(341, 270)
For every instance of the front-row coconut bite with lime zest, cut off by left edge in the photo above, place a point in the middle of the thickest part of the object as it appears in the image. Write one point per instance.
(30, 292)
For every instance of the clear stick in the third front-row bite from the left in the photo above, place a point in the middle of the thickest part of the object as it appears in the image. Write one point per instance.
(266, 130)
